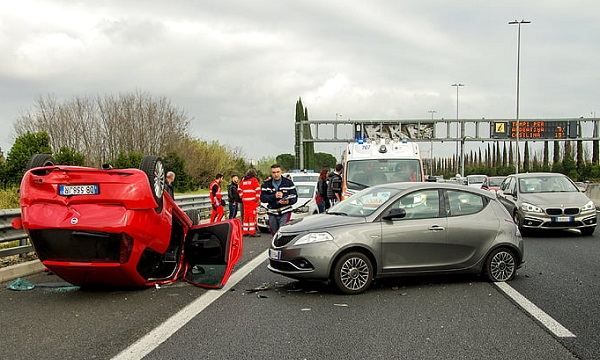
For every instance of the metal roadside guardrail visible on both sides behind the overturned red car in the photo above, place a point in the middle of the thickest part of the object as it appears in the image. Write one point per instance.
(196, 206)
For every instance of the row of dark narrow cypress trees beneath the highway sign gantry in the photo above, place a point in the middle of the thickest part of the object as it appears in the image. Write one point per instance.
(499, 159)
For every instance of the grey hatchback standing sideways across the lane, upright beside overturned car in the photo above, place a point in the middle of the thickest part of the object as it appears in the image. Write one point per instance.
(399, 229)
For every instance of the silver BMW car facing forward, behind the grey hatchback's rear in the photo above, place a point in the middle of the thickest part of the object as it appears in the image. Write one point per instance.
(547, 201)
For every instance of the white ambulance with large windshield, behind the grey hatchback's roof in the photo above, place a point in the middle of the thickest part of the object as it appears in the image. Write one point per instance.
(368, 163)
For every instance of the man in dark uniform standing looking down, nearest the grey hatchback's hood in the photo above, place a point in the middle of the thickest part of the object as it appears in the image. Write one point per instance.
(280, 194)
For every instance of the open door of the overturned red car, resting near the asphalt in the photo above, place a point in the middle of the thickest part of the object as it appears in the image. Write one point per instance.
(211, 251)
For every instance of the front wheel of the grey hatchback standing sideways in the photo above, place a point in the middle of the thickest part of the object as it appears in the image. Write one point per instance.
(353, 273)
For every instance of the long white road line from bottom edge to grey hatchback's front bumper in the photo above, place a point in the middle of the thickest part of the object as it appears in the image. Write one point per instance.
(162, 332)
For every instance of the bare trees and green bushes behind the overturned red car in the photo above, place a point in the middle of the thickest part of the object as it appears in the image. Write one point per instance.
(119, 130)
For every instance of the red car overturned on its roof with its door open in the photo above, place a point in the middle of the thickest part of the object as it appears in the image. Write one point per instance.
(118, 227)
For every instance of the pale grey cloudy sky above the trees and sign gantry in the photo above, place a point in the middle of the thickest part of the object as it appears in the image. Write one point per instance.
(238, 67)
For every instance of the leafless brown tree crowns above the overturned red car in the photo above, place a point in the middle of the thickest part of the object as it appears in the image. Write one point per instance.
(102, 127)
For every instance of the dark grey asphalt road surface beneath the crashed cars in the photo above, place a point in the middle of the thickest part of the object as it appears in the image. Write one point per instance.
(458, 317)
